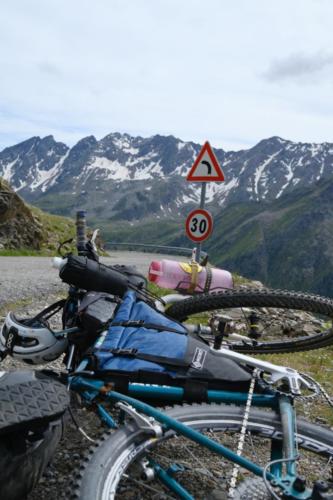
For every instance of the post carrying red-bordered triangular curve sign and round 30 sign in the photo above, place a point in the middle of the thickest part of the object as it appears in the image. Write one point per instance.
(206, 168)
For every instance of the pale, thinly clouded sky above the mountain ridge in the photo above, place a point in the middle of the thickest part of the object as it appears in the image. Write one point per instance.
(231, 72)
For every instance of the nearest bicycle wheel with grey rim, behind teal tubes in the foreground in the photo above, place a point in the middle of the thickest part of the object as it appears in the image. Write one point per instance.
(120, 466)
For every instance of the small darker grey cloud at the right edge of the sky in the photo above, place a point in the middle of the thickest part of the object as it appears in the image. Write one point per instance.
(298, 66)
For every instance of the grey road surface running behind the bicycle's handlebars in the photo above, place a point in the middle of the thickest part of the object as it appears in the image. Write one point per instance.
(23, 277)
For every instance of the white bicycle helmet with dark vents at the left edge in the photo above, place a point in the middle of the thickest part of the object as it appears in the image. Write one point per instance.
(30, 341)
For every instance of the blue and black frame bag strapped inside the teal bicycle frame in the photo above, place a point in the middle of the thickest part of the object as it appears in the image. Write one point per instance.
(143, 345)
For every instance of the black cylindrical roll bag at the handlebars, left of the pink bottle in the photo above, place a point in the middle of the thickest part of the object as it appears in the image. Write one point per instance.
(90, 275)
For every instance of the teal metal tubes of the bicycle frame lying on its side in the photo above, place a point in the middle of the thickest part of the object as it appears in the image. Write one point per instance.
(284, 451)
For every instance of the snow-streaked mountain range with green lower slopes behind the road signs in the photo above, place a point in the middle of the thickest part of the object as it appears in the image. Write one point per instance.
(273, 217)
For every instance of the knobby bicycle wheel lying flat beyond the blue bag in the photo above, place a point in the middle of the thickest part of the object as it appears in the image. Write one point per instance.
(269, 321)
